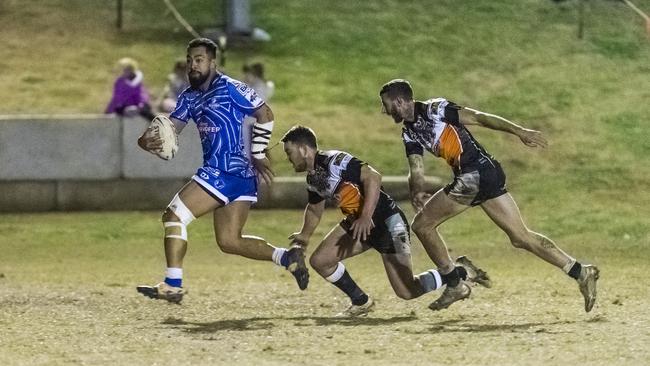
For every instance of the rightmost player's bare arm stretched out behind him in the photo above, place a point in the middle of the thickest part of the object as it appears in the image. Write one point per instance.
(532, 138)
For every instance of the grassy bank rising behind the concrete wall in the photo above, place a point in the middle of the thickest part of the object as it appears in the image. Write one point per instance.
(520, 59)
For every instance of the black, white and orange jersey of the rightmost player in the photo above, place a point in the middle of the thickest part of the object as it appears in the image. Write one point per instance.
(437, 129)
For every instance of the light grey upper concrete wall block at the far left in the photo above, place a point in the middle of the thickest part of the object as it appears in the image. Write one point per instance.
(45, 149)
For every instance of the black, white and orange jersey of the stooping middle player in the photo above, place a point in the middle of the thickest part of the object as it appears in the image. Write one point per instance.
(337, 176)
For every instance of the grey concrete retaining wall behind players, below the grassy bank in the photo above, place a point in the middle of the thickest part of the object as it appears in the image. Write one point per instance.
(93, 163)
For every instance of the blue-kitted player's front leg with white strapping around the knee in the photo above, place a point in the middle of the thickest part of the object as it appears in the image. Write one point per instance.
(190, 202)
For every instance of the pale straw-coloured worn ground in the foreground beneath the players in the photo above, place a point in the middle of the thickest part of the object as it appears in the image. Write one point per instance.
(251, 313)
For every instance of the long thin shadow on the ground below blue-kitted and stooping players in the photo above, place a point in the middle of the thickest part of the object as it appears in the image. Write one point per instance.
(257, 323)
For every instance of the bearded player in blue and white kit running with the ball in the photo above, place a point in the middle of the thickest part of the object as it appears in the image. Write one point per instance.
(226, 184)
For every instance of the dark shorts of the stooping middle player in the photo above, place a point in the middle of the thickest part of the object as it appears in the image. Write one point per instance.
(389, 236)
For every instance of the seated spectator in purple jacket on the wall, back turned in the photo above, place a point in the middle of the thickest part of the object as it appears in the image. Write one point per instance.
(130, 97)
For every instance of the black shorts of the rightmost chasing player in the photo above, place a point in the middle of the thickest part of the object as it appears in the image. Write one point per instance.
(475, 186)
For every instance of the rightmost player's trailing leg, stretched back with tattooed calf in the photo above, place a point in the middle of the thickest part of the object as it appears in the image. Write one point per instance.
(504, 212)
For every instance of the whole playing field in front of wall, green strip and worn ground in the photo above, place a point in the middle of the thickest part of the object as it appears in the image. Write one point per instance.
(67, 294)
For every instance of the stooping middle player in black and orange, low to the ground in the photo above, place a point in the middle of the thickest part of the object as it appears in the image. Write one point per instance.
(372, 220)
